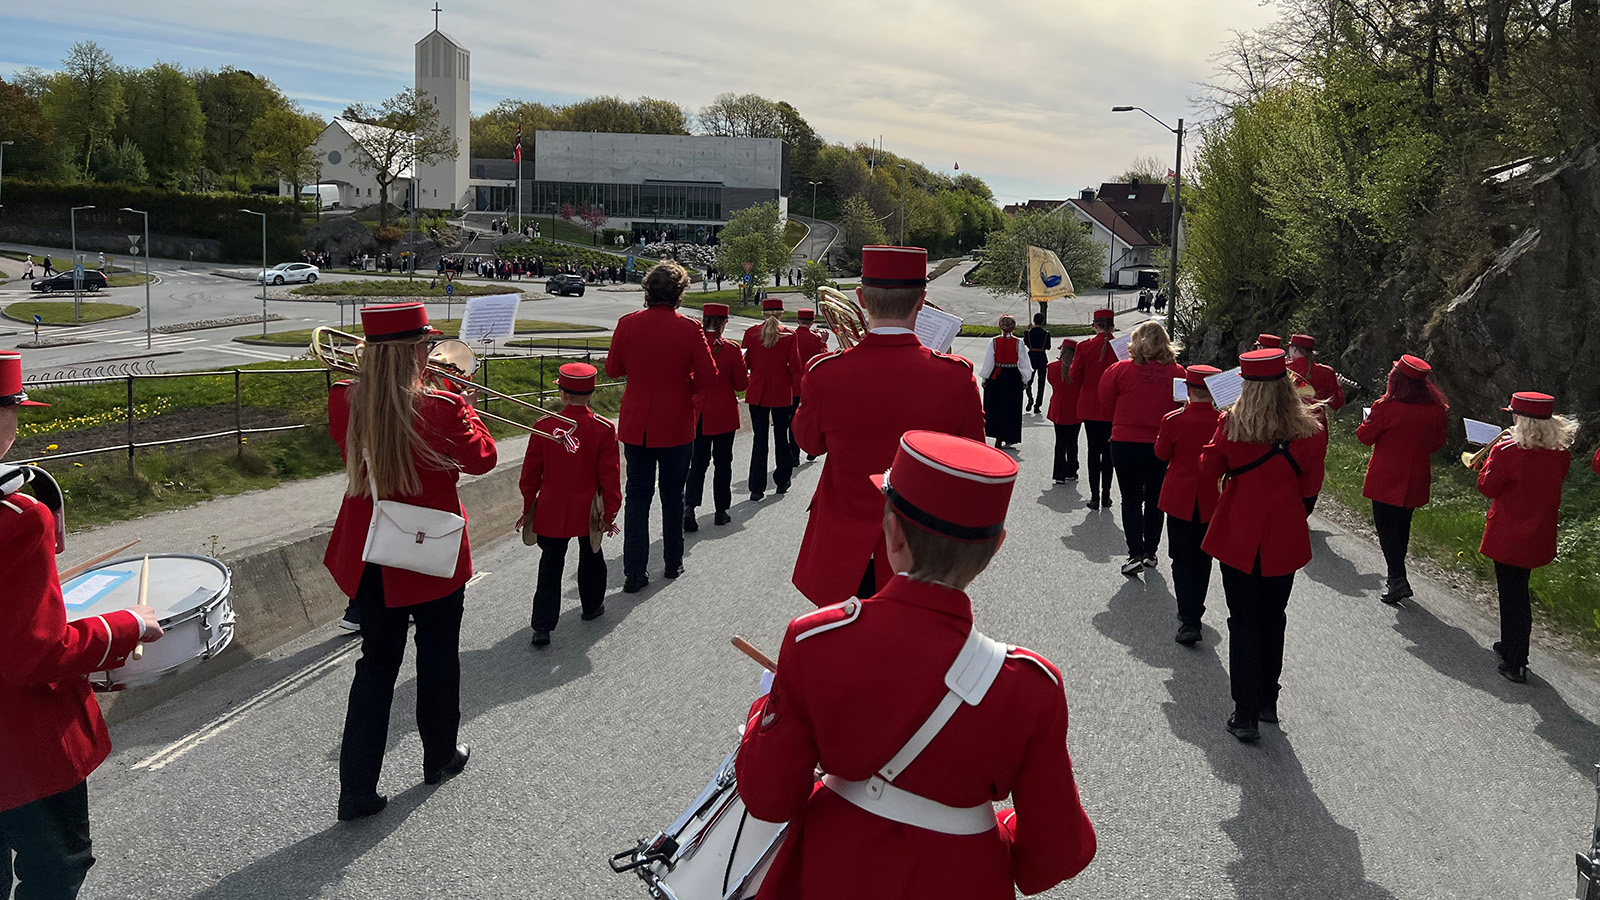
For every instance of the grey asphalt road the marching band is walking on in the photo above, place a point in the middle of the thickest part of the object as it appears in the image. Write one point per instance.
(1406, 768)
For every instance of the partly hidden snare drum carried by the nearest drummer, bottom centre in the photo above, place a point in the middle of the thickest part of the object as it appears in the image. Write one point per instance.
(716, 851)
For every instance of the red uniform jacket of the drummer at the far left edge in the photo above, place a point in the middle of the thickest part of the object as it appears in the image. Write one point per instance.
(54, 734)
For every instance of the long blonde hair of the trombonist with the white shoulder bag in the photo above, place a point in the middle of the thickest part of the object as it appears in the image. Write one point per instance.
(383, 424)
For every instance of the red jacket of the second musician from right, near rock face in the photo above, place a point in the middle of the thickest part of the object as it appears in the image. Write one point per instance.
(1404, 440)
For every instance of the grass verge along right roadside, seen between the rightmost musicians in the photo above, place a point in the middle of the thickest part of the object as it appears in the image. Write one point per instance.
(1450, 528)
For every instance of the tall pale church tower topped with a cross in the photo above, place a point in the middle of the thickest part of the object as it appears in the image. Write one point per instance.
(444, 76)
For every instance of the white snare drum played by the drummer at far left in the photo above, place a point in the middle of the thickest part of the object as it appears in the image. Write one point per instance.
(190, 597)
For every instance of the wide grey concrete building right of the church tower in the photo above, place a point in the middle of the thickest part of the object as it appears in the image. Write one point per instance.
(687, 187)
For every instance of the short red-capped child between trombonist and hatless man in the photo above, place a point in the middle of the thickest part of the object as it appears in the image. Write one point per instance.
(559, 486)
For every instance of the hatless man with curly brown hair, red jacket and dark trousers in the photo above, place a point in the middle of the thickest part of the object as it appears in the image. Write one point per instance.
(665, 358)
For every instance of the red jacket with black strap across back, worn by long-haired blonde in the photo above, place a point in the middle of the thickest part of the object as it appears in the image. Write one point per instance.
(1262, 513)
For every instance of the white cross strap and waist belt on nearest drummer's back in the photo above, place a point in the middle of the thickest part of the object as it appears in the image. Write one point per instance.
(969, 681)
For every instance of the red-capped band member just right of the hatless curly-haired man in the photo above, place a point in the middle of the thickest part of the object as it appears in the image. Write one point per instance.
(716, 422)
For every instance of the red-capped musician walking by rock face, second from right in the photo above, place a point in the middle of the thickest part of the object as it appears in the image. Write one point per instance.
(1406, 428)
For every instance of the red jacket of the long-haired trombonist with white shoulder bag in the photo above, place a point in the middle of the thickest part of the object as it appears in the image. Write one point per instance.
(450, 427)
